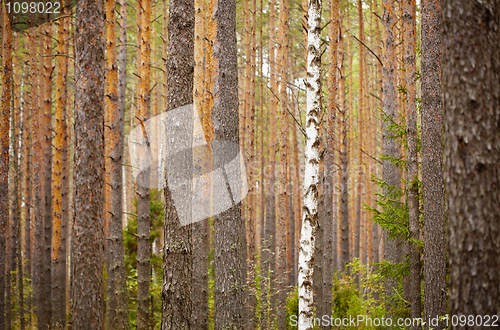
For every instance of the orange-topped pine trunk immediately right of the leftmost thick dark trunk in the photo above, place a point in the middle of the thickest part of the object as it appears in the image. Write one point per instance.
(117, 303)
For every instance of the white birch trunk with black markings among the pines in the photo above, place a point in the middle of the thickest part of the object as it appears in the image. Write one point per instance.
(312, 154)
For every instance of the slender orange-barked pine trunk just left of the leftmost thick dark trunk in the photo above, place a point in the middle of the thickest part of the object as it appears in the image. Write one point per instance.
(58, 267)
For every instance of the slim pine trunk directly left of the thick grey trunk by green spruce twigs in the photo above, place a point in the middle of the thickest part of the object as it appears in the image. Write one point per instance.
(409, 17)
